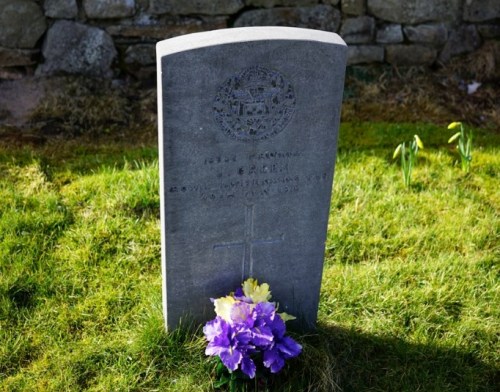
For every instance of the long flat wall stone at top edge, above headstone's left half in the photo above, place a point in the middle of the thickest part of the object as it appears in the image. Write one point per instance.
(195, 7)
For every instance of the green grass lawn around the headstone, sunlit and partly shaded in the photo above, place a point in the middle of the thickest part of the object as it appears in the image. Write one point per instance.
(410, 293)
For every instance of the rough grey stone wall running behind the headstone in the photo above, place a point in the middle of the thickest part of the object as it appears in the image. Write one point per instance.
(116, 38)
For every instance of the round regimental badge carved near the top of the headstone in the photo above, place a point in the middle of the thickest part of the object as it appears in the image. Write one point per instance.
(256, 104)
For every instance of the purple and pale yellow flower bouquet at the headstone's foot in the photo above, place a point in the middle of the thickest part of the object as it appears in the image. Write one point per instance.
(248, 333)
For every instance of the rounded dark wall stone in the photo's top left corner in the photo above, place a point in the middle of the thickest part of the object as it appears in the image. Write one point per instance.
(22, 23)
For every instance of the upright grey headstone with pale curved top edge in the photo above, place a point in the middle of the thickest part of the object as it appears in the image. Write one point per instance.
(248, 125)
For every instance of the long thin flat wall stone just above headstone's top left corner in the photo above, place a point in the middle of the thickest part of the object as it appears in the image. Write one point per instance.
(158, 32)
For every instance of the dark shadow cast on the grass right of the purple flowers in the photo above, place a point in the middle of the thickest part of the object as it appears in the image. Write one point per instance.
(337, 359)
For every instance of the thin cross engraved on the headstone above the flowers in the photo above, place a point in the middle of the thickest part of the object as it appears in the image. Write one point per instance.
(248, 242)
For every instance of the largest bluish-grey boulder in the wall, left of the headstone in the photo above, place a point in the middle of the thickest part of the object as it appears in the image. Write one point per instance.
(75, 48)
